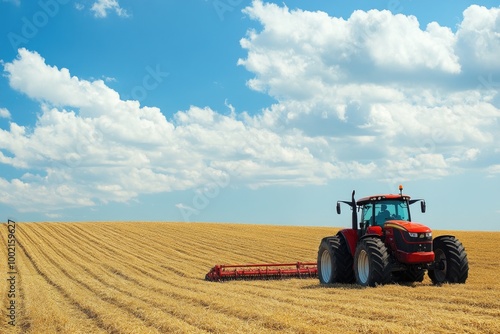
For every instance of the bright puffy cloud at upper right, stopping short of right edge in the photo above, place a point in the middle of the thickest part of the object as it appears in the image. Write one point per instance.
(299, 53)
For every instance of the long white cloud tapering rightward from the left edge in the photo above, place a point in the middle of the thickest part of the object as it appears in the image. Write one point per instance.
(90, 147)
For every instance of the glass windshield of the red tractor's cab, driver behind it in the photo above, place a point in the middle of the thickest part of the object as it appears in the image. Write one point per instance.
(378, 212)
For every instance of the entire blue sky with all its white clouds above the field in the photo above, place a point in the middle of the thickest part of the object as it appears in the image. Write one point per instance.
(248, 111)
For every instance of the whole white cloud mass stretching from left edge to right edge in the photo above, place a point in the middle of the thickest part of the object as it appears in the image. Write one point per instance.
(371, 96)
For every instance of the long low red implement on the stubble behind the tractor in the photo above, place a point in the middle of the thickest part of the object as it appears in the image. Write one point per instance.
(225, 272)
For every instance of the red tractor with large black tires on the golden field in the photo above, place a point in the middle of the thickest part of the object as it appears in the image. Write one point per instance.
(388, 247)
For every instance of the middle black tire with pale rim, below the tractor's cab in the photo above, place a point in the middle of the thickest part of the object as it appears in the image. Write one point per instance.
(371, 263)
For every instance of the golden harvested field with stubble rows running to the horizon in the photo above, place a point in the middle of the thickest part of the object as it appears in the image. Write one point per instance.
(149, 278)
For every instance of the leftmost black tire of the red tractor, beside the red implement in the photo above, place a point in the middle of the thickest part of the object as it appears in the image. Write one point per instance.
(334, 261)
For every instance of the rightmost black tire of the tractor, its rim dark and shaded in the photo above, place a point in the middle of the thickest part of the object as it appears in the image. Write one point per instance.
(451, 261)
